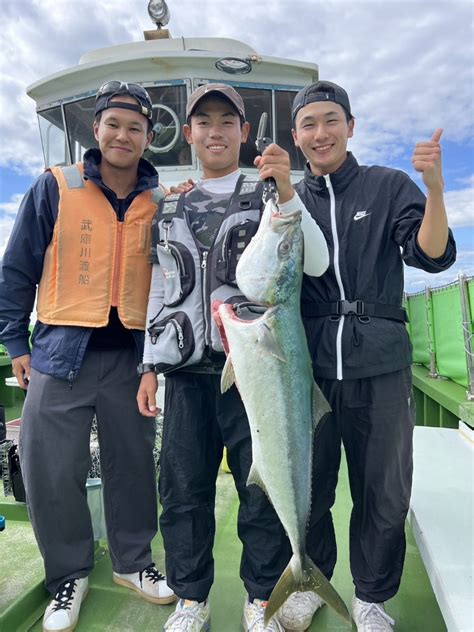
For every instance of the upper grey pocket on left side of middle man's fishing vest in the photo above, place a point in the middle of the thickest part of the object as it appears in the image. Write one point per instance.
(177, 266)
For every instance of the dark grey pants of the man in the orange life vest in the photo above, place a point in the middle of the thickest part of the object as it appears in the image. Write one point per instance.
(55, 460)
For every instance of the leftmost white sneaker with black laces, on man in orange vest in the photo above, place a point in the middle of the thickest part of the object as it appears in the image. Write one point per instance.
(62, 614)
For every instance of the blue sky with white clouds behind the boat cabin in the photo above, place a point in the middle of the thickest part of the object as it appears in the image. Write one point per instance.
(408, 67)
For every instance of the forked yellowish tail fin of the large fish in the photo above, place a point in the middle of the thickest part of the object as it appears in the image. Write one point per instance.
(309, 578)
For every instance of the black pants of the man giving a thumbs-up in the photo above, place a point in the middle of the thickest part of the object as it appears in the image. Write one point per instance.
(374, 417)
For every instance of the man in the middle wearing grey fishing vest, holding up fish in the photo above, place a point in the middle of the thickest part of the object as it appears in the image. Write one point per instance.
(197, 239)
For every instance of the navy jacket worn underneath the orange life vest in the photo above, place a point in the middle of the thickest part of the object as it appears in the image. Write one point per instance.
(56, 350)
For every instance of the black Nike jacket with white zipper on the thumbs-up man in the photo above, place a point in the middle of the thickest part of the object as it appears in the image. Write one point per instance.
(371, 230)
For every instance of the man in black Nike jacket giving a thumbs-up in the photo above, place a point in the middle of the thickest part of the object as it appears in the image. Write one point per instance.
(374, 219)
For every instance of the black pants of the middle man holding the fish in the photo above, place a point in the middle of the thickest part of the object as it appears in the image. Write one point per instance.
(199, 421)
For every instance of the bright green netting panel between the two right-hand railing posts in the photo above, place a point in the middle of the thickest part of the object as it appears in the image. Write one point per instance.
(449, 338)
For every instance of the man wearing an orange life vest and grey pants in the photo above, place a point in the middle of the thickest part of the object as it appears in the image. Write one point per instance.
(81, 236)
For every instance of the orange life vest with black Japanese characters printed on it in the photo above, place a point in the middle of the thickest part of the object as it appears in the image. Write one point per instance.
(94, 261)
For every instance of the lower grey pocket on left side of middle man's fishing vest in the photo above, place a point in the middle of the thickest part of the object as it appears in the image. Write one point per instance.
(173, 341)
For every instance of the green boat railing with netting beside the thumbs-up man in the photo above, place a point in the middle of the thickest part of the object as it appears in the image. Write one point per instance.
(441, 331)
